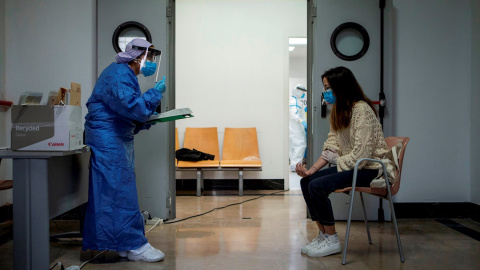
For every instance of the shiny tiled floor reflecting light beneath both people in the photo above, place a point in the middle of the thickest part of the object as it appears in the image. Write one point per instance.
(268, 233)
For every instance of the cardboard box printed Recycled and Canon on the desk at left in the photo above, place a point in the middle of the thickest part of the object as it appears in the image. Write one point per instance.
(46, 128)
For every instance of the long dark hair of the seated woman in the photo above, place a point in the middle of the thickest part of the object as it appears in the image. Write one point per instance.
(347, 92)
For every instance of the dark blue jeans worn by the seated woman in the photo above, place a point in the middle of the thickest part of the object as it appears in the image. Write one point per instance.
(318, 186)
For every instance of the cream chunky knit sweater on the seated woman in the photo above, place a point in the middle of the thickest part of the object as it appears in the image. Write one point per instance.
(363, 138)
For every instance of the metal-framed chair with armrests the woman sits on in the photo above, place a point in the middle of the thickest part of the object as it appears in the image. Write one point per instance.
(384, 193)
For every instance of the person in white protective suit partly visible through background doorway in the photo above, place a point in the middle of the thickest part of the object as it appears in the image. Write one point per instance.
(297, 125)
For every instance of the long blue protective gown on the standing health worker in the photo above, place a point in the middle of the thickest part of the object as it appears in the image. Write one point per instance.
(116, 111)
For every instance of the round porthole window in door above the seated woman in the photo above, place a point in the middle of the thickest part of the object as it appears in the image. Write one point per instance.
(350, 41)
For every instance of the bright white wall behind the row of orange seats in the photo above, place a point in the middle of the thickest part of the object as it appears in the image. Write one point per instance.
(232, 71)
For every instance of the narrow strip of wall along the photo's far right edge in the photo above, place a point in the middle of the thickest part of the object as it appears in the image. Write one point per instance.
(475, 108)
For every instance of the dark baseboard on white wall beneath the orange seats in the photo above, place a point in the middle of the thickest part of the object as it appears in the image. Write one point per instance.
(231, 184)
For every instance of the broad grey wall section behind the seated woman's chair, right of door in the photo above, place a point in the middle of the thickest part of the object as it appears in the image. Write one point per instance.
(433, 85)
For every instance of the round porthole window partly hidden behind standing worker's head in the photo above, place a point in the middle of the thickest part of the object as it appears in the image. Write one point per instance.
(127, 31)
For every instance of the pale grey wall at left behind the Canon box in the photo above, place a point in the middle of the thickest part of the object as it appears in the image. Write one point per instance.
(48, 44)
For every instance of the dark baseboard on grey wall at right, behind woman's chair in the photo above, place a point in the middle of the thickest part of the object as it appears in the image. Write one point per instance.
(438, 210)
